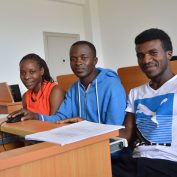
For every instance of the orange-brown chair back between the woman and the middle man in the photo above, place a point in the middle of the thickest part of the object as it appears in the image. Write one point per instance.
(65, 81)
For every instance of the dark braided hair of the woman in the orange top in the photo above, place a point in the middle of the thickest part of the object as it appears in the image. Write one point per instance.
(41, 63)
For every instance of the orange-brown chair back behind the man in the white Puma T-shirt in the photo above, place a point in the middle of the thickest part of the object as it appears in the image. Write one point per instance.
(132, 76)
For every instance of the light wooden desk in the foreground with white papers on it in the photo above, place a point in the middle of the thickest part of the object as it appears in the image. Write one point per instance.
(86, 158)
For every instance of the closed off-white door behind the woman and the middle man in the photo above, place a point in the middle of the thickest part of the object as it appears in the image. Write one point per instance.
(57, 47)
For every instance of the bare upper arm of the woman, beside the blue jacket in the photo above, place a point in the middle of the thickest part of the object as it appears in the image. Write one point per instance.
(56, 98)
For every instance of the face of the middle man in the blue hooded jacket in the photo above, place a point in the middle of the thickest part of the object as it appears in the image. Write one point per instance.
(82, 61)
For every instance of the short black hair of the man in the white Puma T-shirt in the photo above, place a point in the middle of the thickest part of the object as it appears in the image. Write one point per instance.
(153, 34)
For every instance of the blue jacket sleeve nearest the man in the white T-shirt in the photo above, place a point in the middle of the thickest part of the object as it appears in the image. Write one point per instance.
(117, 104)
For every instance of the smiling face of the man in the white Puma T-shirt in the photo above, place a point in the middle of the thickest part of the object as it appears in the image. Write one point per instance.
(152, 58)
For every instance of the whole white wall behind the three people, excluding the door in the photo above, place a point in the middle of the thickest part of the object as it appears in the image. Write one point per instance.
(110, 24)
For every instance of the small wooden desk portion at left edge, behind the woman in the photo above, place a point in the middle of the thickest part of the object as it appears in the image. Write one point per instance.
(8, 107)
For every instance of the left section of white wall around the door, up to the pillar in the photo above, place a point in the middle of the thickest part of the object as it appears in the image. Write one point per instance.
(23, 23)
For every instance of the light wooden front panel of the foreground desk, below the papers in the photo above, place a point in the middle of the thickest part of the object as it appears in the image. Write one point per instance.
(47, 160)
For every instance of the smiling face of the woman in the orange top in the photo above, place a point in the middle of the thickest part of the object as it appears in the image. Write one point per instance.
(31, 74)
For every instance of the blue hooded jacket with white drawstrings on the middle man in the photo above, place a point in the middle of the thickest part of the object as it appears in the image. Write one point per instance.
(104, 101)
